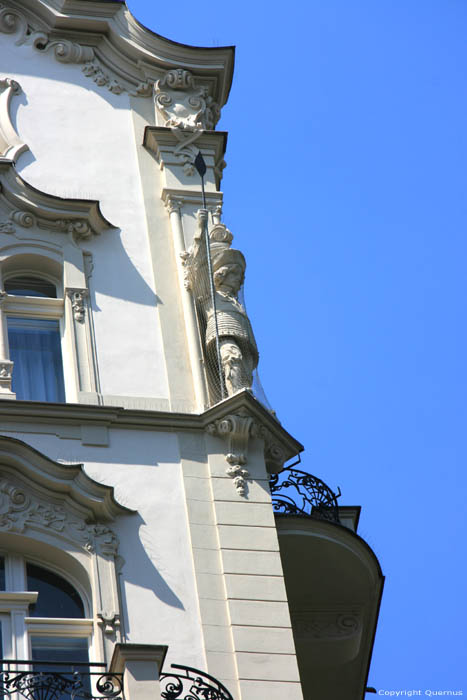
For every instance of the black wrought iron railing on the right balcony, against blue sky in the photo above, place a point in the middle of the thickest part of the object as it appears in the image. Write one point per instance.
(297, 493)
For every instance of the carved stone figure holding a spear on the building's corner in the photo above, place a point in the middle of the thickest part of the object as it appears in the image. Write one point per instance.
(237, 345)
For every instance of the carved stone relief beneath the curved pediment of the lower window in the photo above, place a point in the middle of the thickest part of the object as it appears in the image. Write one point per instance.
(21, 511)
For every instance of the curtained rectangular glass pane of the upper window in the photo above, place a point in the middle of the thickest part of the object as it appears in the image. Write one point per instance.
(36, 352)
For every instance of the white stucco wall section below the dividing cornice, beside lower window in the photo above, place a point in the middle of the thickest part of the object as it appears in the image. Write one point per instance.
(160, 600)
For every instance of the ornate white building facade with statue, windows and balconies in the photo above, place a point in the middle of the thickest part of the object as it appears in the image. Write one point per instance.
(136, 523)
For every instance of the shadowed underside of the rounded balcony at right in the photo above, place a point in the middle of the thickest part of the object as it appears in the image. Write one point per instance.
(334, 586)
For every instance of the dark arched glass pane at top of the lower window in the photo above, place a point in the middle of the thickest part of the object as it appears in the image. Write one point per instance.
(57, 597)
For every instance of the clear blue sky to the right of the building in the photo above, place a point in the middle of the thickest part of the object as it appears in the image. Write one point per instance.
(345, 189)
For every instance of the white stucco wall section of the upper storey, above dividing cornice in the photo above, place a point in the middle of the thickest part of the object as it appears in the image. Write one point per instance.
(82, 145)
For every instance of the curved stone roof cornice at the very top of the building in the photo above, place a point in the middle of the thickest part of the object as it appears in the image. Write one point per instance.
(116, 51)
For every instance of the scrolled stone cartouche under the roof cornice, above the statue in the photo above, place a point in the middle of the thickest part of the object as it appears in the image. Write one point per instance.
(184, 105)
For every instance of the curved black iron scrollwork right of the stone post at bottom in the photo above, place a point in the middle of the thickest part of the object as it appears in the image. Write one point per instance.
(191, 685)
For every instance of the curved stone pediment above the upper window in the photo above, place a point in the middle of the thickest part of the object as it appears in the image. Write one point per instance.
(24, 206)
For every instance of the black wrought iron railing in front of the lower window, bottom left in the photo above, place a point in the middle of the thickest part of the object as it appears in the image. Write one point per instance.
(34, 680)
